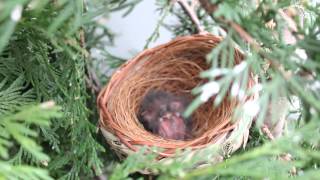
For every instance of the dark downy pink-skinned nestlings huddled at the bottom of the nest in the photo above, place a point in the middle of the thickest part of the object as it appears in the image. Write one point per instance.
(161, 114)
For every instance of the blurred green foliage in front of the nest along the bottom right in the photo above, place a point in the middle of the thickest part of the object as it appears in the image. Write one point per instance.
(260, 162)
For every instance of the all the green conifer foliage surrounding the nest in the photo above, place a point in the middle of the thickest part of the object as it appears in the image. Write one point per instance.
(46, 53)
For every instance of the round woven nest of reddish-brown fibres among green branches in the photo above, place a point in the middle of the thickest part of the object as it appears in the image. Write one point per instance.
(173, 67)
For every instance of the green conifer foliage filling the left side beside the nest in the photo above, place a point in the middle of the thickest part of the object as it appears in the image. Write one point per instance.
(44, 56)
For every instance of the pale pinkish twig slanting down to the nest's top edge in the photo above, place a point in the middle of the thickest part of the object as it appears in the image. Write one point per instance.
(190, 11)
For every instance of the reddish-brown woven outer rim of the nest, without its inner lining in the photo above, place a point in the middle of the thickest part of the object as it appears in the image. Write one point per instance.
(125, 145)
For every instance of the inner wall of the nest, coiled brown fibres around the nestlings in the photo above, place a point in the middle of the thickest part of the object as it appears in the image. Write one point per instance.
(172, 70)
